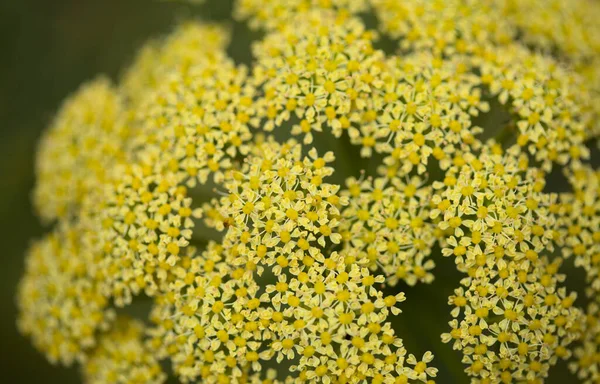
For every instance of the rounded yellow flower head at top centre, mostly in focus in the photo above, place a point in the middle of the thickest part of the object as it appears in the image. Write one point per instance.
(315, 69)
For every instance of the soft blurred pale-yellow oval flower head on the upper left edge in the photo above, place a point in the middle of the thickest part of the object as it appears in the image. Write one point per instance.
(86, 139)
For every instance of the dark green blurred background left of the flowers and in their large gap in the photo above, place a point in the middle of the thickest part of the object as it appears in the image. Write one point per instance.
(47, 49)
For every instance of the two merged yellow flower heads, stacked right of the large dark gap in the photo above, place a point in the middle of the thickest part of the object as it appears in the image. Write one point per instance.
(512, 316)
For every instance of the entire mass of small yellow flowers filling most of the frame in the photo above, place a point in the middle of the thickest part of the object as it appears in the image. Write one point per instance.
(209, 188)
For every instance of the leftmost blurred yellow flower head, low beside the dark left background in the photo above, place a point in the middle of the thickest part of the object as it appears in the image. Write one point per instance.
(60, 303)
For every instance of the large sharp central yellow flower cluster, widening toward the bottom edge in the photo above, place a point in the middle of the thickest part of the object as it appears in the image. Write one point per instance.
(282, 222)
